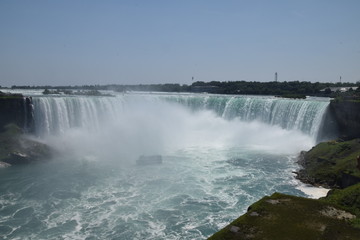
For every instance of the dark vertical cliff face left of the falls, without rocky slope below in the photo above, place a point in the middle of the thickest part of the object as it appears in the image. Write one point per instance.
(17, 109)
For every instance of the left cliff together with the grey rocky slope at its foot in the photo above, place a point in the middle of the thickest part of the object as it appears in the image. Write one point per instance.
(16, 117)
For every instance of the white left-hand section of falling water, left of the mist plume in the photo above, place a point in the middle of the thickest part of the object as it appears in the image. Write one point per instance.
(54, 115)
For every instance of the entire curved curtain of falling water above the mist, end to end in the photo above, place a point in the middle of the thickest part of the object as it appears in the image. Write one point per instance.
(56, 114)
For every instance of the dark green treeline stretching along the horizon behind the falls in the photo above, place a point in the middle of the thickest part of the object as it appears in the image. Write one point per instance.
(290, 88)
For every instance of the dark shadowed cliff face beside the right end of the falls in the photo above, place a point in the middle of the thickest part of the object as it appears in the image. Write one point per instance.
(347, 116)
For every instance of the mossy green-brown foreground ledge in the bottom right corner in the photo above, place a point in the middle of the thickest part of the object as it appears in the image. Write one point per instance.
(288, 217)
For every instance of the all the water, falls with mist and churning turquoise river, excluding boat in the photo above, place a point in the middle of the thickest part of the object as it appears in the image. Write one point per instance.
(220, 154)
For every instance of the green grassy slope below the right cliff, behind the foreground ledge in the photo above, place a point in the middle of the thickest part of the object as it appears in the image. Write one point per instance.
(329, 163)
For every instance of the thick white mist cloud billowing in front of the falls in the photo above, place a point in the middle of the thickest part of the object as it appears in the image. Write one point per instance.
(161, 128)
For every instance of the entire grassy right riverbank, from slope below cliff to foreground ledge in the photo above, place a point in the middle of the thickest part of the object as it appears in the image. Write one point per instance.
(337, 216)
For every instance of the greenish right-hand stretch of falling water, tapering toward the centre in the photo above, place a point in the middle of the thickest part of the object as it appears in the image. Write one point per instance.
(305, 115)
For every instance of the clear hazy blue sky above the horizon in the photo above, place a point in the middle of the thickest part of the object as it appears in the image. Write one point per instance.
(74, 42)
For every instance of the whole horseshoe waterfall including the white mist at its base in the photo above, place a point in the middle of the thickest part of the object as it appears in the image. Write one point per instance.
(129, 125)
